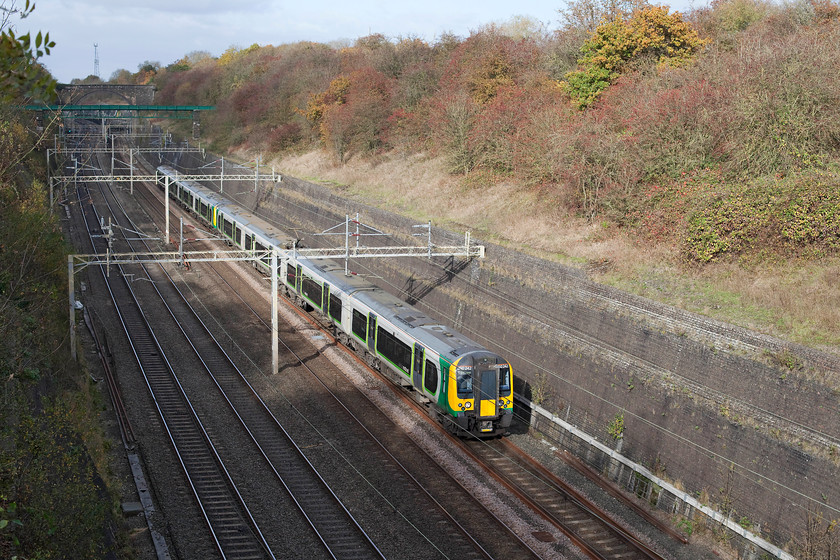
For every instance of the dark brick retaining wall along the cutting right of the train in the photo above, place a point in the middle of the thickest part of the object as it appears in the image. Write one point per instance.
(704, 403)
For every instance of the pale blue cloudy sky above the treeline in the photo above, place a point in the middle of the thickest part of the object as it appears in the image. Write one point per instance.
(131, 32)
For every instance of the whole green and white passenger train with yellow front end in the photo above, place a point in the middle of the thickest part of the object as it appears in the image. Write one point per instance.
(468, 388)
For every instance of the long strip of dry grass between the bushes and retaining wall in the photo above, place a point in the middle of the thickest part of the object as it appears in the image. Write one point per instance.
(795, 301)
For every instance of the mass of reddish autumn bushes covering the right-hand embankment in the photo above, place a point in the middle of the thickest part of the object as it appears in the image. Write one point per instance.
(763, 100)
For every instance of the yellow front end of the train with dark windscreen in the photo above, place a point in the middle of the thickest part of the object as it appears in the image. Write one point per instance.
(480, 394)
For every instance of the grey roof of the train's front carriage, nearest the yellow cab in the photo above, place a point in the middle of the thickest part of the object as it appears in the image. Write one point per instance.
(429, 332)
